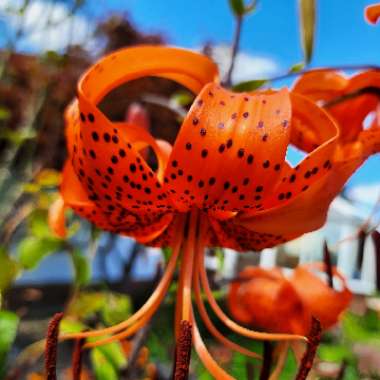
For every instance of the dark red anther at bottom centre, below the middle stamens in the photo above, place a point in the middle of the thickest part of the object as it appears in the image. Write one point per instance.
(183, 352)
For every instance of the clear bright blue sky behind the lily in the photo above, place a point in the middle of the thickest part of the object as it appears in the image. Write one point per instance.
(343, 37)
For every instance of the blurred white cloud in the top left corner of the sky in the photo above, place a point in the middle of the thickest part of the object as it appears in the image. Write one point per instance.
(49, 26)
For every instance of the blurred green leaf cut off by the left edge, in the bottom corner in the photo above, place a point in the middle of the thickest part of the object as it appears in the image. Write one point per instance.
(8, 330)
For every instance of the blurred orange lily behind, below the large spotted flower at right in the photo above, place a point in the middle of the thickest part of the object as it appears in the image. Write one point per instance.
(269, 300)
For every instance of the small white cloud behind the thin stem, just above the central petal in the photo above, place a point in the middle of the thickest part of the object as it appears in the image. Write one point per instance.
(247, 66)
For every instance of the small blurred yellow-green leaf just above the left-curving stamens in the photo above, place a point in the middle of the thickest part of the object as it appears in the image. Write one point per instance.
(117, 309)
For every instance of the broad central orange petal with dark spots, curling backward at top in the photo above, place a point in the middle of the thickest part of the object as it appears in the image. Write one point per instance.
(230, 151)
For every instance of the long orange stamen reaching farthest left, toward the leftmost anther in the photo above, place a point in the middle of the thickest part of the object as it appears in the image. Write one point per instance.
(153, 301)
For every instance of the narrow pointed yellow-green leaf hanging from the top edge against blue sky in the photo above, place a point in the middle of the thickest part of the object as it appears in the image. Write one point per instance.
(307, 10)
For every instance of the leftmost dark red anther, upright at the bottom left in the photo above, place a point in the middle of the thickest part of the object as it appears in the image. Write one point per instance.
(51, 347)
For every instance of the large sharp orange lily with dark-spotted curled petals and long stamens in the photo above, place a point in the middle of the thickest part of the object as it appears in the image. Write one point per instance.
(224, 183)
